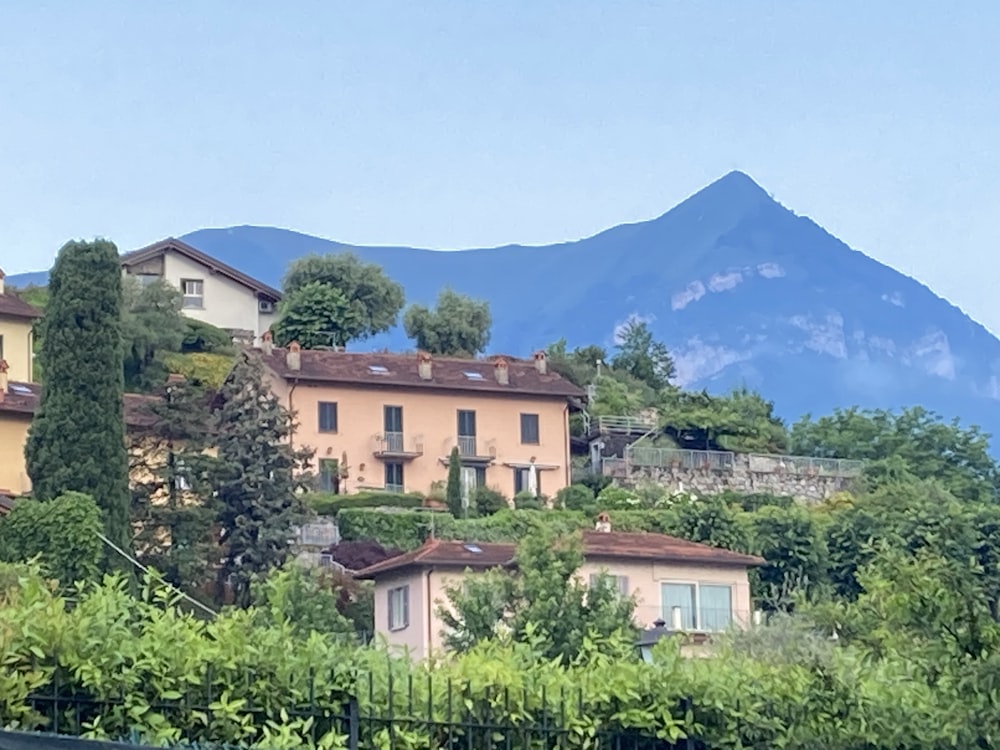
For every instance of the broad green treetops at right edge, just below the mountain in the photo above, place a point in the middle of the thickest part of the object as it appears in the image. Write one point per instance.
(928, 447)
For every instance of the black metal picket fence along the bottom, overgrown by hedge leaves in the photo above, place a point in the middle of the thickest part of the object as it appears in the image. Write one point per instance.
(379, 713)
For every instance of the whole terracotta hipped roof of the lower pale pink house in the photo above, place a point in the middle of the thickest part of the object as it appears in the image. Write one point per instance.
(596, 544)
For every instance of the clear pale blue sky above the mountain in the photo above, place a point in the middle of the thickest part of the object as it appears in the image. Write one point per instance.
(472, 124)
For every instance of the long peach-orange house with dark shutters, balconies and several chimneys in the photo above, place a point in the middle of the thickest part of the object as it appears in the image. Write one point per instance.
(390, 421)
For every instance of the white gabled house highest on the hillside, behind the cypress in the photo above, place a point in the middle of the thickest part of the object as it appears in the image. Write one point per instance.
(214, 292)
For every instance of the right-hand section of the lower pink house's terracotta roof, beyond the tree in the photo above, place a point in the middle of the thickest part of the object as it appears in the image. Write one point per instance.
(659, 547)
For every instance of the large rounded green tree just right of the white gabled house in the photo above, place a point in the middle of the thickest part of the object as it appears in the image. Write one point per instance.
(333, 299)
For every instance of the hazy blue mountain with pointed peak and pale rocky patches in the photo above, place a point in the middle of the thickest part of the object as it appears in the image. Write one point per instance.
(741, 289)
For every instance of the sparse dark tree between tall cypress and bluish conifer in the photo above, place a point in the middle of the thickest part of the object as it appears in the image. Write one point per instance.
(173, 511)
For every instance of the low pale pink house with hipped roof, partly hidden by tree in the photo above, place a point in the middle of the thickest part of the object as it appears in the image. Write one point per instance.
(695, 588)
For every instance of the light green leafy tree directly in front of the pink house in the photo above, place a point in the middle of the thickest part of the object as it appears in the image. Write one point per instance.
(544, 602)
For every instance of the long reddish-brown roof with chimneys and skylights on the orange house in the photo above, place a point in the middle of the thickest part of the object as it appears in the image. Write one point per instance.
(401, 370)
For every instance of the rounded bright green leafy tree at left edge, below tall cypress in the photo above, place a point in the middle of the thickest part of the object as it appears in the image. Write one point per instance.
(64, 533)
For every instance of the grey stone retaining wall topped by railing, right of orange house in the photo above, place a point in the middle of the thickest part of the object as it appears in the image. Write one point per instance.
(713, 472)
